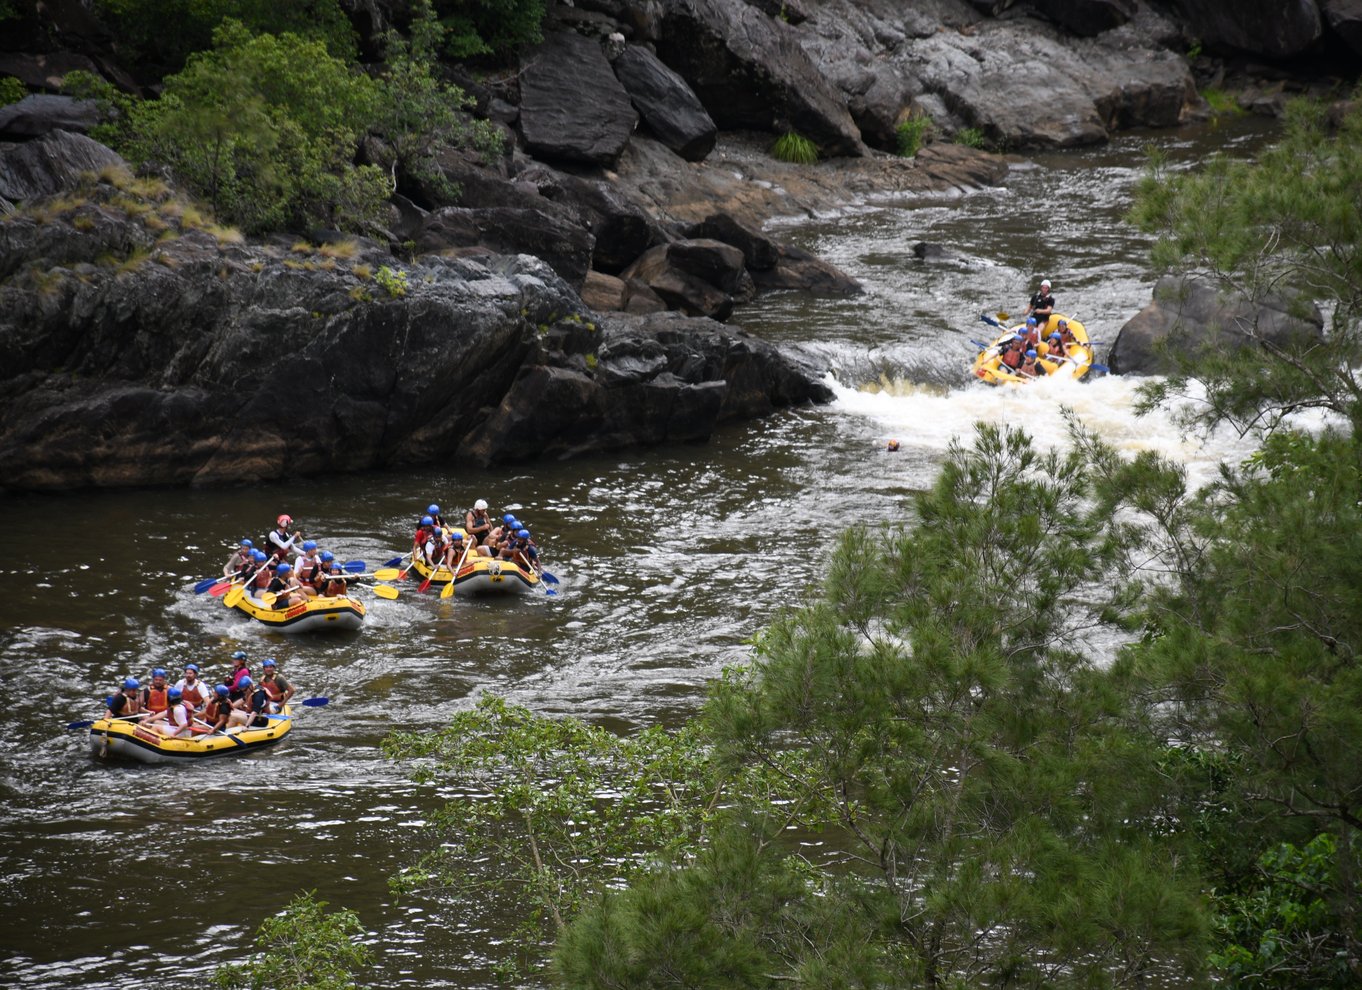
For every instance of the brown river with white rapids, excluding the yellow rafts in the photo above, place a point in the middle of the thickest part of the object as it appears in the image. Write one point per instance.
(125, 876)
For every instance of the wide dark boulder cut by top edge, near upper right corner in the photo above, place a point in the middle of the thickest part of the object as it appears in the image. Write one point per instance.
(1276, 29)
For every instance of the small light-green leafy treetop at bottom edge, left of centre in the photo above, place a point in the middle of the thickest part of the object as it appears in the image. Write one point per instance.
(303, 948)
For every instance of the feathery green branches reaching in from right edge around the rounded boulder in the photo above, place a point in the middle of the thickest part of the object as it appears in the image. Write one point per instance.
(1285, 225)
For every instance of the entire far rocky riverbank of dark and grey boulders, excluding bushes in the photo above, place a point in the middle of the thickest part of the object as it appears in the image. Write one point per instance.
(570, 295)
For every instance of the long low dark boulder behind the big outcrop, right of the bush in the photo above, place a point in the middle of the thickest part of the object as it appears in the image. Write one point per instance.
(509, 231)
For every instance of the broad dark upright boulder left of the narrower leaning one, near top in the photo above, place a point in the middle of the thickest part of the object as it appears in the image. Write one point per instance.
(573, 108)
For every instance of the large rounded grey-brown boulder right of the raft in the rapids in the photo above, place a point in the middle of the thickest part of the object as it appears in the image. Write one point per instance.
(1187, 318)
